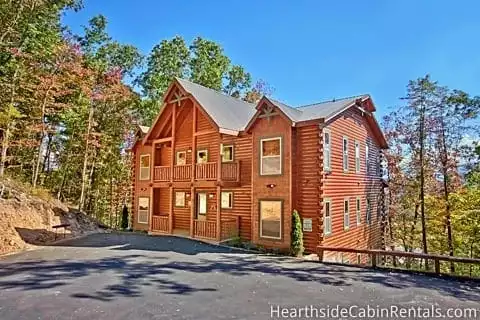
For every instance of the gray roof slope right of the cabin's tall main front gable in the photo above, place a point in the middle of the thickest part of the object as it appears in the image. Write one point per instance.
(227, 112)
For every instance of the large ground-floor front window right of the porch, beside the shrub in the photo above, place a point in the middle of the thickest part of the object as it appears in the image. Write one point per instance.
(271, 219)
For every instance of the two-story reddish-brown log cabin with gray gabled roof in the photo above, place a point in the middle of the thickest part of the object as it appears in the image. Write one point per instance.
(215, 167)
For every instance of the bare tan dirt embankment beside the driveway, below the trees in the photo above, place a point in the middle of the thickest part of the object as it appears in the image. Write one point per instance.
(26, 220)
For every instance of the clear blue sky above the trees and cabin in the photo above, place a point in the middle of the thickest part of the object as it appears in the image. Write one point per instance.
(316, 50)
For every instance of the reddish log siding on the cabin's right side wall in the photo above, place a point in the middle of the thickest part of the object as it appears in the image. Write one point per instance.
(339, 185)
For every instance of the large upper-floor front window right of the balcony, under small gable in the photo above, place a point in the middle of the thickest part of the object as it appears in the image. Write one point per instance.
(271, 156)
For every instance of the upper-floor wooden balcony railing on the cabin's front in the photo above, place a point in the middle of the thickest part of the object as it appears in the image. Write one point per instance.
(230, 171)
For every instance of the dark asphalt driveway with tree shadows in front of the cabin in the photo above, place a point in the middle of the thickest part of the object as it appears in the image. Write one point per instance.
(133, 276)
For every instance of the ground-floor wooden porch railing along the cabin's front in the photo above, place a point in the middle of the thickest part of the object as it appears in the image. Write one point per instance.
(229, 228)
